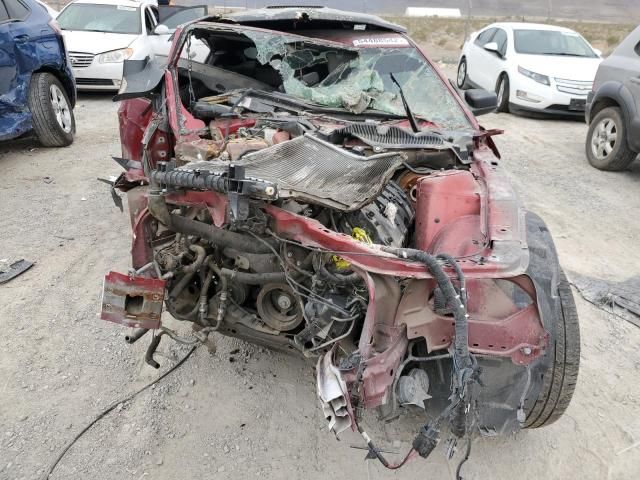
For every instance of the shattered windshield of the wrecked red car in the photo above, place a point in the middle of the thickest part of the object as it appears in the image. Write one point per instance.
(331, 75)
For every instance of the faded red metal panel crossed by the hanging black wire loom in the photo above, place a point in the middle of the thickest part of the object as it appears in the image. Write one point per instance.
(496, 326)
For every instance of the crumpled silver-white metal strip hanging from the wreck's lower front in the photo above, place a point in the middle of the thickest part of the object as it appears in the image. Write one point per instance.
(332, 392)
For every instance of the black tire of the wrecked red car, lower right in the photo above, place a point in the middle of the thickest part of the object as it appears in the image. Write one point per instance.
(560, 380)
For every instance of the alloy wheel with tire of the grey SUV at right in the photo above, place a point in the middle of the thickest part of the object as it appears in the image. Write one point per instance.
(607, 147)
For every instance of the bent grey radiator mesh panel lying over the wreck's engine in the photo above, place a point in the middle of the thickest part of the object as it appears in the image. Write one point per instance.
(309, 169)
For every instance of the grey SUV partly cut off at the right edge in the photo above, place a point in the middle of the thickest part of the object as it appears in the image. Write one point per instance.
(613, 108)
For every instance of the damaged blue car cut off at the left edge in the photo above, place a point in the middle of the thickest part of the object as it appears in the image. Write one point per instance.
(37, 88)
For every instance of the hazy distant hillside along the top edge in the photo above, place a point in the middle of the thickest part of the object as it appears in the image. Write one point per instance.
(591, 10)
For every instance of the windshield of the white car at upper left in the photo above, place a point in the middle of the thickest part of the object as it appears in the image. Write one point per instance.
(101, 18)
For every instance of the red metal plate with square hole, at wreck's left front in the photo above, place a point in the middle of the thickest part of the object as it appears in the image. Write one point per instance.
(133, 301)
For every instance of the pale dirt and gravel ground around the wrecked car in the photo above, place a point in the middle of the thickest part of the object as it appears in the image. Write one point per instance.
(247, 412)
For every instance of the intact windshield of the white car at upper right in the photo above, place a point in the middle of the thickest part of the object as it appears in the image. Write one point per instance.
(551, 42)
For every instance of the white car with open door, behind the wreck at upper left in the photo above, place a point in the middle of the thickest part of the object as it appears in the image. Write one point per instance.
(101, 34)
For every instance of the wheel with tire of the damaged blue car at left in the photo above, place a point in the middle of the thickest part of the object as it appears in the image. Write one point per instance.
(53, 120)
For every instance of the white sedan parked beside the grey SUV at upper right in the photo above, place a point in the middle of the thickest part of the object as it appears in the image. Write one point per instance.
(531, 67)
